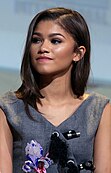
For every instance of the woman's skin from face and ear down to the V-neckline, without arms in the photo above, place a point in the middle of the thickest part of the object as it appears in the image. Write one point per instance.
(50, 40)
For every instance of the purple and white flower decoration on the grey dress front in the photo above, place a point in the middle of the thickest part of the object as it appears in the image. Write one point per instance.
(36, 160)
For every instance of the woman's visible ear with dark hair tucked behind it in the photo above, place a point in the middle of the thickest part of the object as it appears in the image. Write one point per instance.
(79, 53)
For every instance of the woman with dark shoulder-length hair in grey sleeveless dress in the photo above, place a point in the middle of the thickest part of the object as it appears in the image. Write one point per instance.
(50, 124)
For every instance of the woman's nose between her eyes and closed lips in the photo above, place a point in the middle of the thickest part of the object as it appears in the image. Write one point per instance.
(44, 47)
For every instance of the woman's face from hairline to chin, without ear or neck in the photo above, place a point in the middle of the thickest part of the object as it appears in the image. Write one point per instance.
(52, 49)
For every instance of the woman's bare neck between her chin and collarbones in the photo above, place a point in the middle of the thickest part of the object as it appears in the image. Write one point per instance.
(56, 90)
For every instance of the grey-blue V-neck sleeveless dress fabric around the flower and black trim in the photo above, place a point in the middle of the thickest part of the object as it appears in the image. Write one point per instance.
(84, 120)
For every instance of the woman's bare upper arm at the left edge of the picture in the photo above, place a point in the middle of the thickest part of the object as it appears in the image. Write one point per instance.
(6, 143)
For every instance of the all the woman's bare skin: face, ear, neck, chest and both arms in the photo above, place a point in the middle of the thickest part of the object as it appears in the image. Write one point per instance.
(50, 40)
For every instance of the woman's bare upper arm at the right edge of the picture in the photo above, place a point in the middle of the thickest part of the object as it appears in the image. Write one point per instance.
(102, 148)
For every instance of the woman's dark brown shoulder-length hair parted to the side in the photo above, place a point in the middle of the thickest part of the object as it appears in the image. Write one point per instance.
(73, 23)
